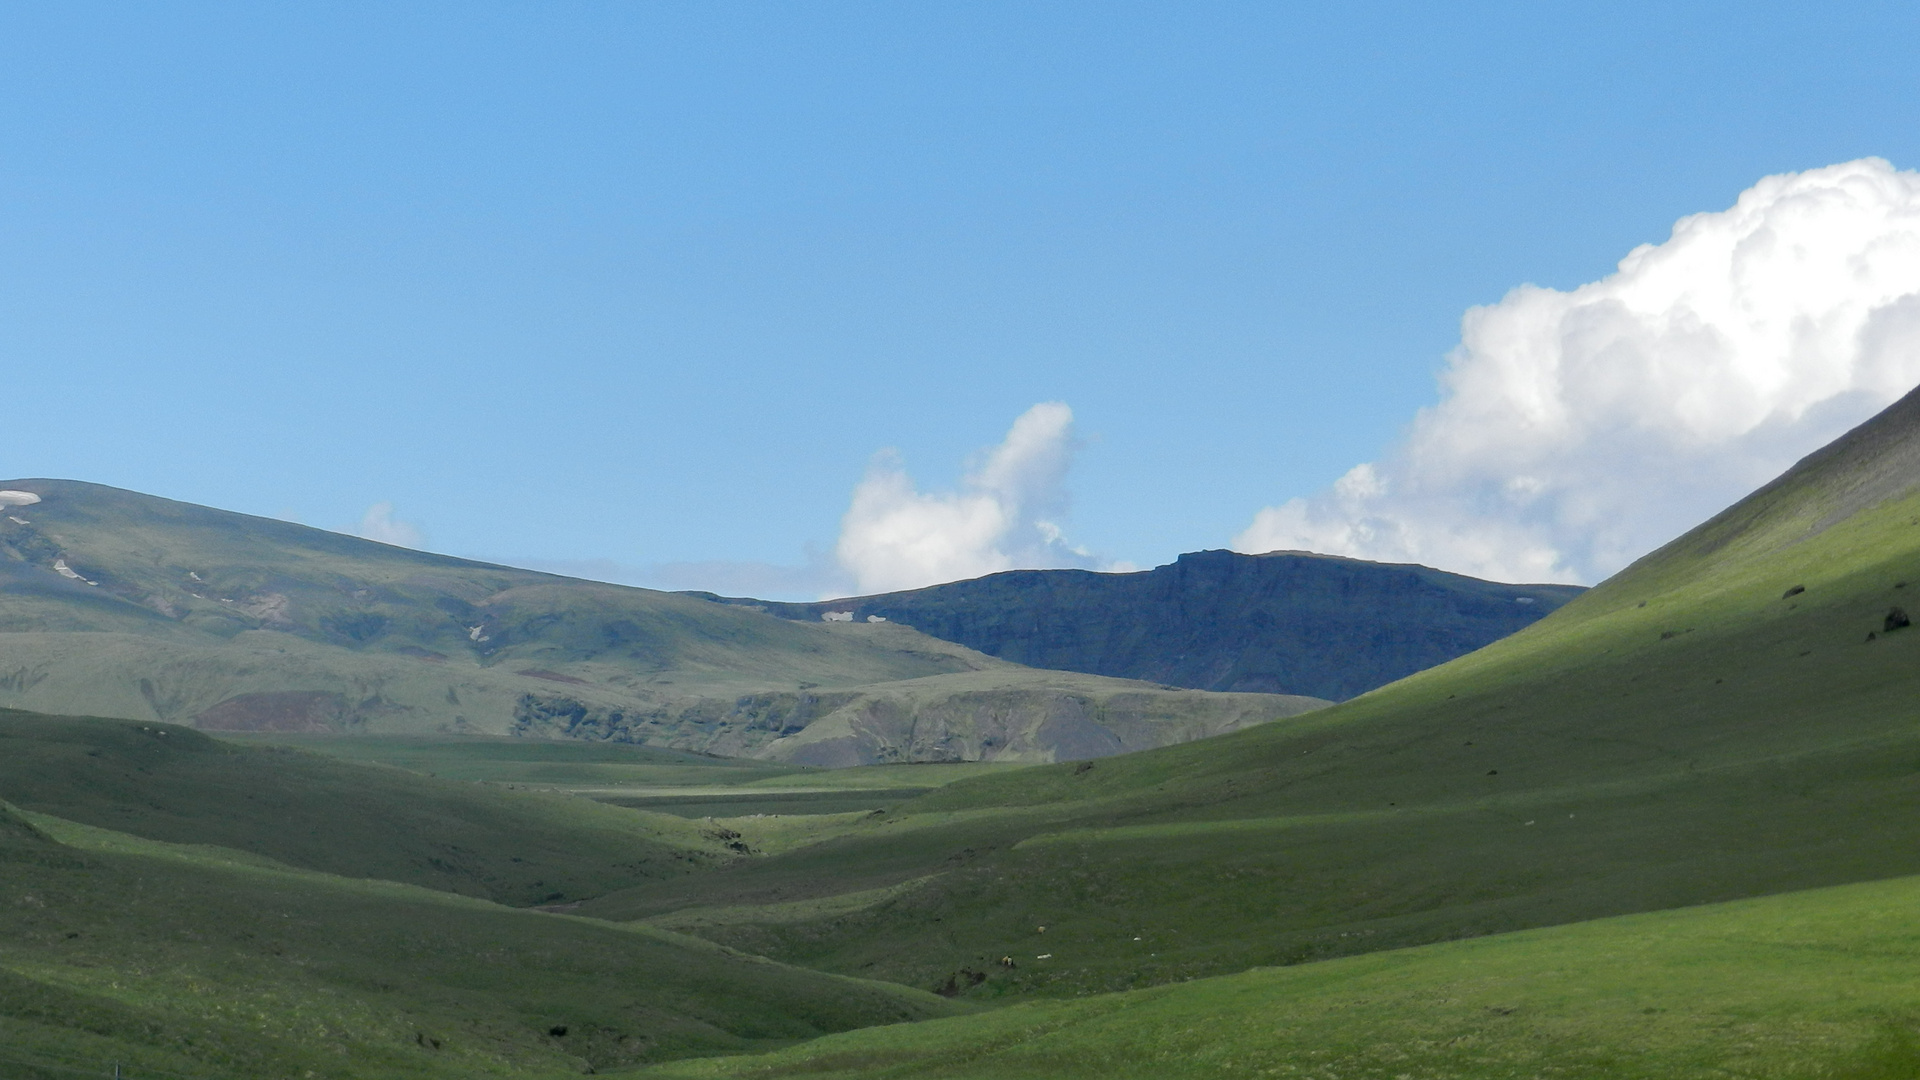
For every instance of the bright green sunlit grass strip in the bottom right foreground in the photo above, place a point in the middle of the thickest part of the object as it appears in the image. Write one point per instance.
(1800, 987)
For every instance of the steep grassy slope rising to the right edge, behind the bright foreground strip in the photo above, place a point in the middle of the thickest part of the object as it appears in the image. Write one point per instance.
(1729, 718)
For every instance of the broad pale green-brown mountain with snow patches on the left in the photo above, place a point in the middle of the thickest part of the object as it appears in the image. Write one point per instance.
(120, 604)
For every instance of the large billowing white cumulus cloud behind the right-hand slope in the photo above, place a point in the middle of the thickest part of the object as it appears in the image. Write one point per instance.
(1583, 430)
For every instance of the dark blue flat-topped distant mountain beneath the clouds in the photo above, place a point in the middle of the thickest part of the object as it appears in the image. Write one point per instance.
(1280, 624)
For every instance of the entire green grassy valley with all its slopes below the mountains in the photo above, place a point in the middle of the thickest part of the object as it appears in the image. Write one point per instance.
(1669, 831)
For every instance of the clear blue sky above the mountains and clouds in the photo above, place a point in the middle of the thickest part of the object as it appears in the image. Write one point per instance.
(636, 285)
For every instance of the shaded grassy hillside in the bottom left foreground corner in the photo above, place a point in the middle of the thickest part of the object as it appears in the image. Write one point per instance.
(210, 964)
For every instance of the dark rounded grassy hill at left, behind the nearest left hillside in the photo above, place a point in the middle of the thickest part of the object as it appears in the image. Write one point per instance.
(178, 785)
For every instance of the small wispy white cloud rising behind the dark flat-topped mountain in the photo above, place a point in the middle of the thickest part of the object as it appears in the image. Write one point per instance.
(1007, 514)
